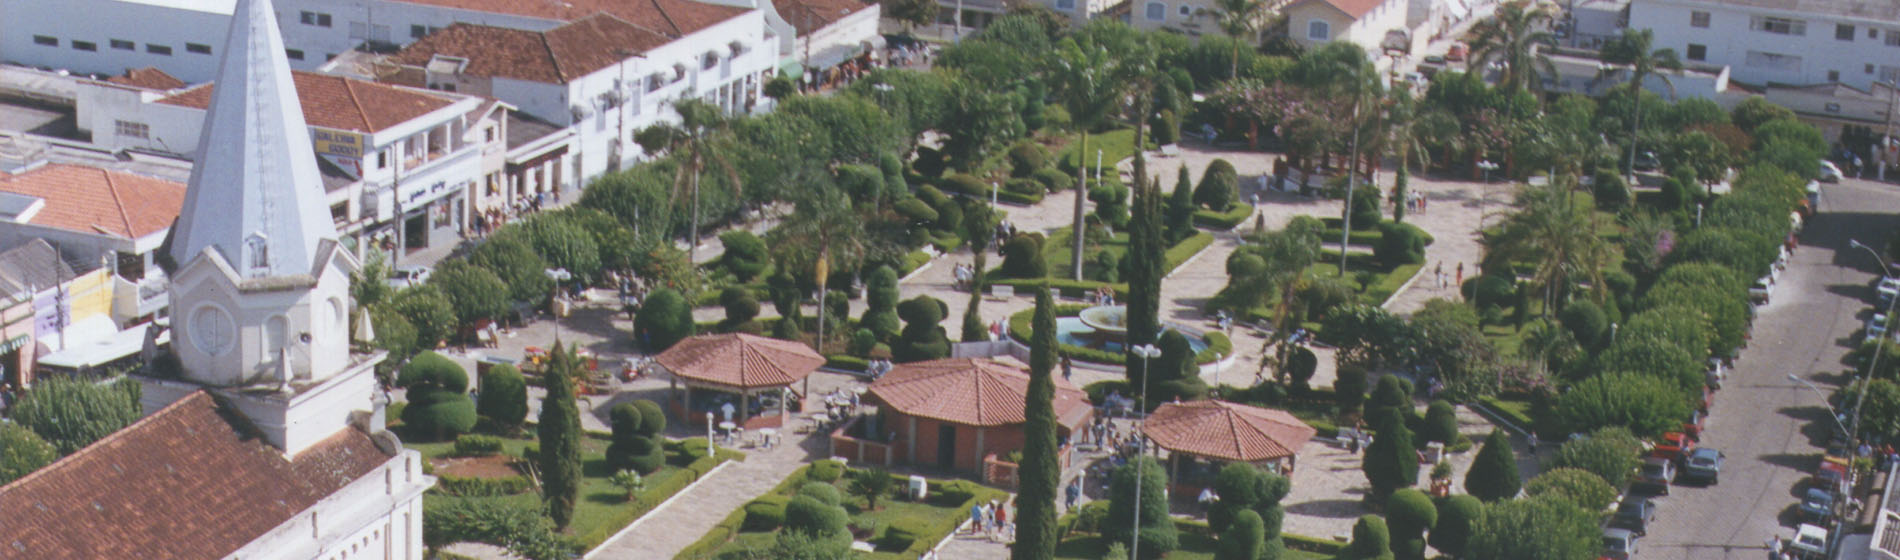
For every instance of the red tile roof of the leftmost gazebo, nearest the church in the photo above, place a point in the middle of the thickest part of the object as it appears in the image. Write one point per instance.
(740, 362)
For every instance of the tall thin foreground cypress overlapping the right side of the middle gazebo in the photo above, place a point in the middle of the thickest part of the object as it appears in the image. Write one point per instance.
(1040, 474)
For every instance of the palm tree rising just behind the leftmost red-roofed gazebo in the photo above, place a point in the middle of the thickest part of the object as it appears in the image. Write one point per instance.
(826, 229)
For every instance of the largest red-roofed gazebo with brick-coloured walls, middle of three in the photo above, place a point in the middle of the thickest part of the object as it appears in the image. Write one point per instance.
(955, 413)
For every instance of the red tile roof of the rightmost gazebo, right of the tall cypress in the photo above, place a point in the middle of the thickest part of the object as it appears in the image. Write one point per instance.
(1226, 432)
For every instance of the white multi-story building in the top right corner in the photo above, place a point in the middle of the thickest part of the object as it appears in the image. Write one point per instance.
(1793, 43)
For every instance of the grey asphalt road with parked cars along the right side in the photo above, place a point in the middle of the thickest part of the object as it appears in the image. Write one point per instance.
(1772, 428)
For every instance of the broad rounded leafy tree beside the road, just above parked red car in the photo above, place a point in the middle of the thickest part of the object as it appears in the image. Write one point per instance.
(1643, 403)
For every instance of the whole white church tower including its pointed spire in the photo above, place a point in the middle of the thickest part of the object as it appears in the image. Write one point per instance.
(259, 286)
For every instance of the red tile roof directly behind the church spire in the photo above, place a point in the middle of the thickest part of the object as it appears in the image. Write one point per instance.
(343, 103)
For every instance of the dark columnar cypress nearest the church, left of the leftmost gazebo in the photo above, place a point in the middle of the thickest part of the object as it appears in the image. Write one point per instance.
(560, 439)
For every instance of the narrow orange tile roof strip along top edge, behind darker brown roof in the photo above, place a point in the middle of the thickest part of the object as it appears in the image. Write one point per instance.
(674, 18)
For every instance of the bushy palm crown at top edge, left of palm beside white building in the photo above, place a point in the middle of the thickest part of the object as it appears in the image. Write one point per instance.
(1513, 37)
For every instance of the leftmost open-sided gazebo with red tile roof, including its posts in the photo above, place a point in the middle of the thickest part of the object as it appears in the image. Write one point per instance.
(742, 365)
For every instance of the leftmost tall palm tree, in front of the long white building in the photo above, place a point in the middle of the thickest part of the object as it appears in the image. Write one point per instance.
(694, 140)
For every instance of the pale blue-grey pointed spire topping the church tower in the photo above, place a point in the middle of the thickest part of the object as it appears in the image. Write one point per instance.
(256, 195)
